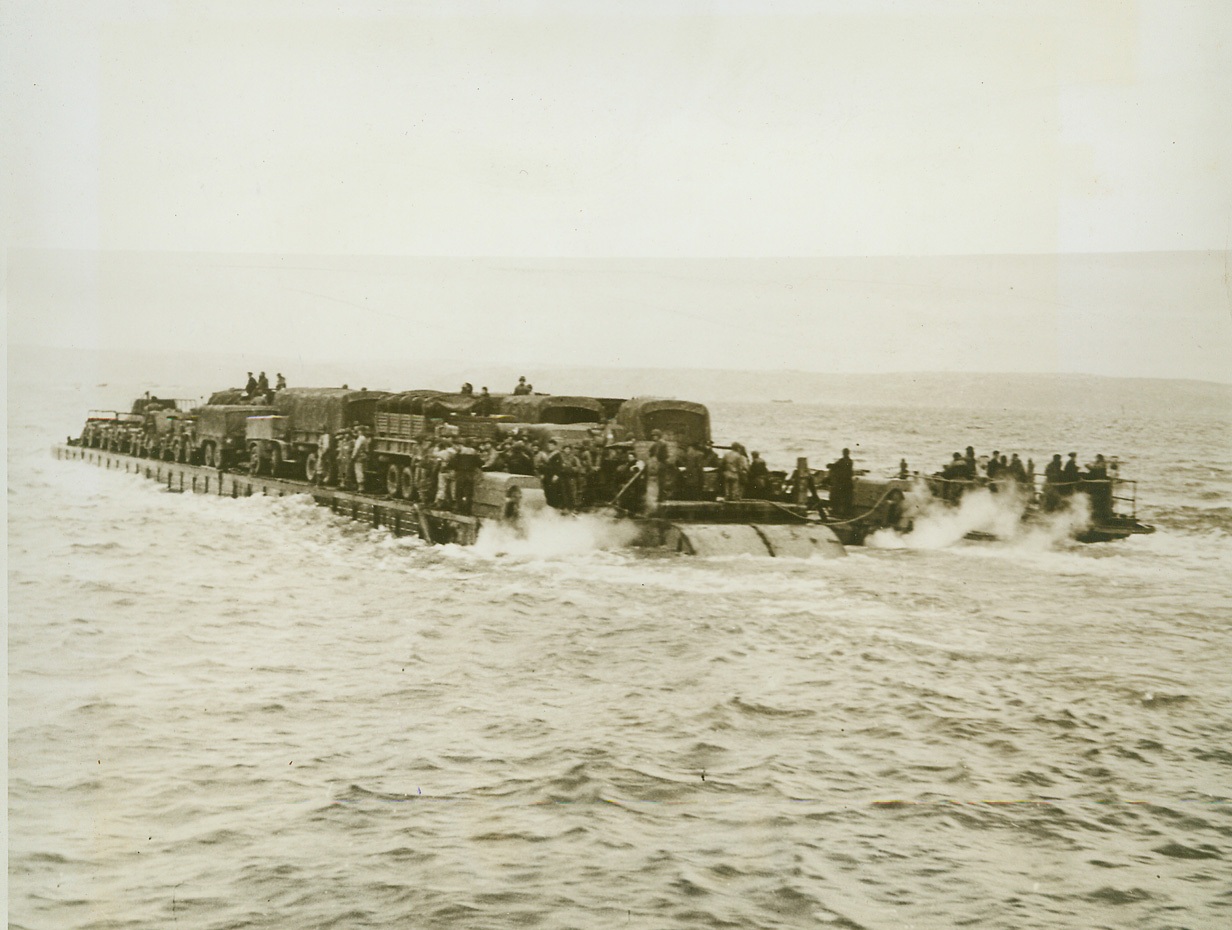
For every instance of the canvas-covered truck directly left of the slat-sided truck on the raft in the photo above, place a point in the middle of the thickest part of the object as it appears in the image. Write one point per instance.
(284, 440)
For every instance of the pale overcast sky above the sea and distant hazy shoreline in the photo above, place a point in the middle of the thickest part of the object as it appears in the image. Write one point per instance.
(537, 182)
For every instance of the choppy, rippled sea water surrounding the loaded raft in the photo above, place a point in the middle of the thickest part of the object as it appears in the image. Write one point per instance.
(230, 714)
